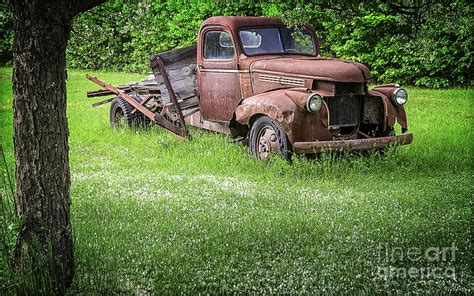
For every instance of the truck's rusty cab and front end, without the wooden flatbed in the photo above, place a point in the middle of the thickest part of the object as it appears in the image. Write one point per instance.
(267, 83)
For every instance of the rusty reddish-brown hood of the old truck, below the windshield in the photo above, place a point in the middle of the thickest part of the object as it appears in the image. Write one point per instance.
(317, 68)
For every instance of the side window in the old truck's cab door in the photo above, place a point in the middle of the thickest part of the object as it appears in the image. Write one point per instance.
(218, 45)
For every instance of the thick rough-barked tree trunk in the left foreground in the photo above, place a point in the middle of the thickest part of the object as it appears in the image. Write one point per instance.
(41, 139)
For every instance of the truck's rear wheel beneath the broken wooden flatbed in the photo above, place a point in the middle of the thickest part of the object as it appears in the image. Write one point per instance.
(121, 114)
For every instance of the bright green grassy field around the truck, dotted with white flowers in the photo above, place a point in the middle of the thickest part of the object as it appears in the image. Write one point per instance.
(151, 213)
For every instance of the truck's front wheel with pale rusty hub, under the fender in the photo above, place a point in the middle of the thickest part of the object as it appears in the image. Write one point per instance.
(267, 137)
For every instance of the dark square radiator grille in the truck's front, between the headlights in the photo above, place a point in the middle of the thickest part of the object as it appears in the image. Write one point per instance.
(344, 110)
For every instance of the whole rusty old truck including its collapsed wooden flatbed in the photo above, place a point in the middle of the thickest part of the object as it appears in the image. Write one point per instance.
(267, 84)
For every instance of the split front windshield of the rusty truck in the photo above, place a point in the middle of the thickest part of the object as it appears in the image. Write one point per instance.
(277, 41)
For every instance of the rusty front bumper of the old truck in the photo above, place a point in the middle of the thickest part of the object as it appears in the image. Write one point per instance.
(352, 145)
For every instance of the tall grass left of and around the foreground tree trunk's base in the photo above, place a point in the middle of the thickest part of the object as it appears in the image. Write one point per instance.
(17, 275)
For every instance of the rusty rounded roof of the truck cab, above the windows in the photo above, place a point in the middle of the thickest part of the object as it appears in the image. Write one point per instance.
(236, 22)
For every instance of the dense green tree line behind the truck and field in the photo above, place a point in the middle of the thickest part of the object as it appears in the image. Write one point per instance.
(424, 43)
